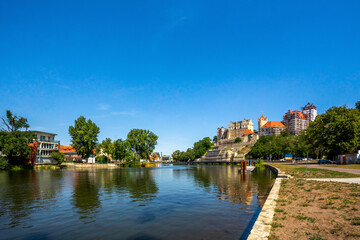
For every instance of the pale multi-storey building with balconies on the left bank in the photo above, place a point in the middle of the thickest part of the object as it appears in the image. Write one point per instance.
(46, 145)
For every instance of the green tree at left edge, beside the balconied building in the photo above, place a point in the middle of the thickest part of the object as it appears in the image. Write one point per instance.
(14, 143)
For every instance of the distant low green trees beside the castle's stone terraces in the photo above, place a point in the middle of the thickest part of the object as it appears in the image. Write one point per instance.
(198, 150)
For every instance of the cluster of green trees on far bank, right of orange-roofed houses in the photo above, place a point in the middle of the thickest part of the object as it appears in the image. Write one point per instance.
(139, 144)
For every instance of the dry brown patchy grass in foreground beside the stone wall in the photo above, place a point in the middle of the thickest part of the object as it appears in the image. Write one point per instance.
(317, 210)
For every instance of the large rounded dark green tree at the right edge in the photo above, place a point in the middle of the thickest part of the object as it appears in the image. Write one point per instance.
(335, 132)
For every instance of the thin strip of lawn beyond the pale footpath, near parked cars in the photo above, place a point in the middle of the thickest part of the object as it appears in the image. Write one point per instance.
(301, 172)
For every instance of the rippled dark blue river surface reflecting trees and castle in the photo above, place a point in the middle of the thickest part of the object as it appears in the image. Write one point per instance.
(168, 202)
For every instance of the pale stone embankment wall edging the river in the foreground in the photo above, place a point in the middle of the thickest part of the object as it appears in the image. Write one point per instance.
(262, 226)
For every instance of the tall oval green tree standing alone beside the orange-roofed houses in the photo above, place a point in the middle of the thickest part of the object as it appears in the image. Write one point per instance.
(84, 136)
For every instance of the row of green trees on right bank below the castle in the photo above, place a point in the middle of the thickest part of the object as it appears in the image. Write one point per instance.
(335, 132)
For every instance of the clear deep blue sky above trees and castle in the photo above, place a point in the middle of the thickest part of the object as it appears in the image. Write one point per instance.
(178, 68)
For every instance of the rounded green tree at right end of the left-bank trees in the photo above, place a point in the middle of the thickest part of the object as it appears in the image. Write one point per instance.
(142, 142)
